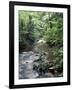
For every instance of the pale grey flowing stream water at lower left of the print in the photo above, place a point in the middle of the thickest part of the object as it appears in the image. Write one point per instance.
(26, 60)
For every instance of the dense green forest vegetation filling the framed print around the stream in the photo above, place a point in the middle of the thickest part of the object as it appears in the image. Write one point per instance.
(47, 27)
